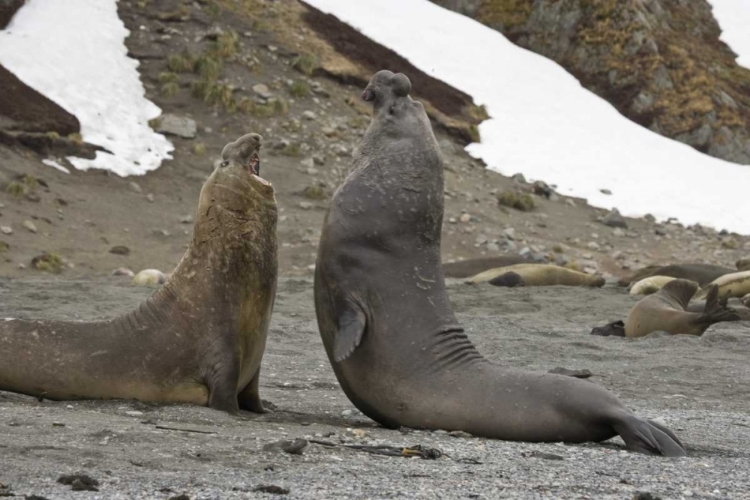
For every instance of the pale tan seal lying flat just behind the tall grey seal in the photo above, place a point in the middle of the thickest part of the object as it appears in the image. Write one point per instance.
(540, 275)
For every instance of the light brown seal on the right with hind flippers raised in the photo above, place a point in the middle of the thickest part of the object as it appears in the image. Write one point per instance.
(666, 310)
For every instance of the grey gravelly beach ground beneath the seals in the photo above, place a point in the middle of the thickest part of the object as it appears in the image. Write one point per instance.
(699, 386)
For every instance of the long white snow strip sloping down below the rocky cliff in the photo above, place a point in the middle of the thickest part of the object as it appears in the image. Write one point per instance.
(546, 126)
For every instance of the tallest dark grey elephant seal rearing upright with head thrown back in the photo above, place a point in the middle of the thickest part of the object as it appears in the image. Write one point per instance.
(386, 321)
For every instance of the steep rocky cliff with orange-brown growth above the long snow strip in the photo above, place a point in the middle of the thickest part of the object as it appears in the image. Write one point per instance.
(659, 62)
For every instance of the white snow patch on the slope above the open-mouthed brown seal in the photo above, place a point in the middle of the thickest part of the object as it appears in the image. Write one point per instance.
(73, 52)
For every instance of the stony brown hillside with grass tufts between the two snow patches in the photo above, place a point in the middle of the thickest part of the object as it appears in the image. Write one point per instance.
(219, 69)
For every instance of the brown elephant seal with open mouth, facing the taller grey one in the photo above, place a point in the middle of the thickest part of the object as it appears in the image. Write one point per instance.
(199, 339)
